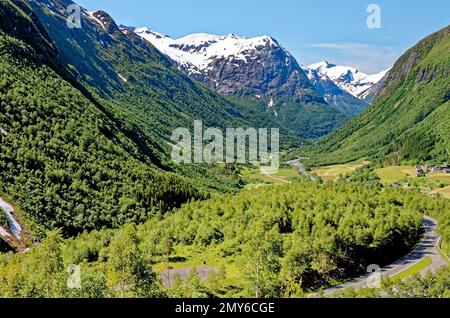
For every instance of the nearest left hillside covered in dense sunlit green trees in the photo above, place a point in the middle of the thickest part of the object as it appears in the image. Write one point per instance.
(64, 161)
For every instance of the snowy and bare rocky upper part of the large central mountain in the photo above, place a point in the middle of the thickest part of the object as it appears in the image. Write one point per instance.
(237, 65)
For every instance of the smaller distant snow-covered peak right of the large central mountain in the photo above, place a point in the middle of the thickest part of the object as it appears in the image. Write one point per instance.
(348, 78)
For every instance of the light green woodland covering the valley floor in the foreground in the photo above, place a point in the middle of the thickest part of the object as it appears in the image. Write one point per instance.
(301, 237)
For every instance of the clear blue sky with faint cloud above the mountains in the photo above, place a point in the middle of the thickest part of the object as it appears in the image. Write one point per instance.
(312, 30)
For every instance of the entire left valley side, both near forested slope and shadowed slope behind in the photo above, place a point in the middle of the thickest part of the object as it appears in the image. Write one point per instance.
(86, 116)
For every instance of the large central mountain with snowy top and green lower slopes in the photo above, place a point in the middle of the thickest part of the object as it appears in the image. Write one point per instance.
(262, 74)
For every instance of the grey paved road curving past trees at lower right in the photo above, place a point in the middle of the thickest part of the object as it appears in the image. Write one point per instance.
(426, 248)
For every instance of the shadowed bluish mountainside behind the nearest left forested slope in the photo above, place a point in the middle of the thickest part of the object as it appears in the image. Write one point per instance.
(143, 84)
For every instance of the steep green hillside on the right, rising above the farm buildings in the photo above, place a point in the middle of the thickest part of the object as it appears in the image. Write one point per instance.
(409, 120)
